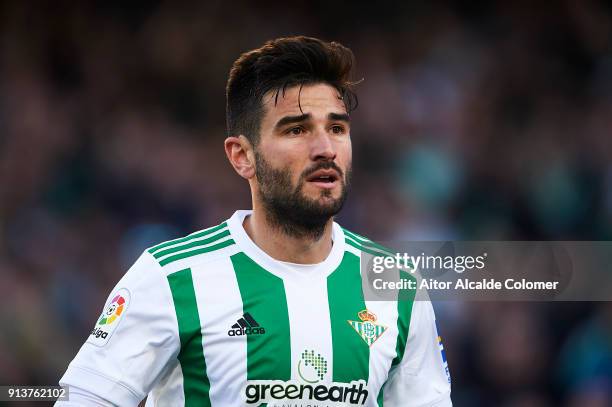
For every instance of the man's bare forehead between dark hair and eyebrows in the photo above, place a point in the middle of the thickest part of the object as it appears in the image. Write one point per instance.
(315, 98)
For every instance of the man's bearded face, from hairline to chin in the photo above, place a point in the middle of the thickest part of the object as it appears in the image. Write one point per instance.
(303, 158)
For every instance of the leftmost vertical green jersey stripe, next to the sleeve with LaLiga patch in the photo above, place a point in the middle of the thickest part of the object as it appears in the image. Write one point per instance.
(196, 385)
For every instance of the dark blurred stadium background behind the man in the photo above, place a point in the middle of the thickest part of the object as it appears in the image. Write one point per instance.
(484, 121)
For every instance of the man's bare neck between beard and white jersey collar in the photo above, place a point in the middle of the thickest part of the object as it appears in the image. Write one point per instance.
(289, 247)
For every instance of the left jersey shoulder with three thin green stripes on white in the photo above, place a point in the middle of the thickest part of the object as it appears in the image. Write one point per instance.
(196, 248)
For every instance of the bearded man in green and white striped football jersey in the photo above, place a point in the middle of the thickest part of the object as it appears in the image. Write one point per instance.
(268, 306)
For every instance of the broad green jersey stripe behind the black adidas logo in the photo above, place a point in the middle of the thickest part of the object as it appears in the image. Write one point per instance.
(263, 296)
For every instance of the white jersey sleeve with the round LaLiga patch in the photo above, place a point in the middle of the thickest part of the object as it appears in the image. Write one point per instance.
(135, 339)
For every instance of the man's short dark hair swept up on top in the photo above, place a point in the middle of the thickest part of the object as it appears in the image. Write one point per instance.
(277, 65)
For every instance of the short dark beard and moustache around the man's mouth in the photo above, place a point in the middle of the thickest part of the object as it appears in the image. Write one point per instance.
(287, 209)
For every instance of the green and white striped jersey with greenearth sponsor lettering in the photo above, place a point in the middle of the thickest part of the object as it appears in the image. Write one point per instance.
(212, 320)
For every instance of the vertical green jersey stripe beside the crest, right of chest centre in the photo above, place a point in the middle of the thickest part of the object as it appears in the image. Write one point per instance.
(351, 354)
